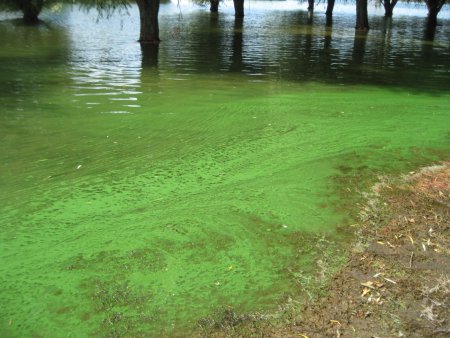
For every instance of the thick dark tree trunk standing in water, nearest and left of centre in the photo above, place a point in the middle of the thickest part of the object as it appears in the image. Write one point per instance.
(148, 12)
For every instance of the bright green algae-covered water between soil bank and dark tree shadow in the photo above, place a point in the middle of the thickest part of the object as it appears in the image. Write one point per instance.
(140, 206)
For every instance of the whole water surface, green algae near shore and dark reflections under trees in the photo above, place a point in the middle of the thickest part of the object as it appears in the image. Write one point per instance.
(141, 192)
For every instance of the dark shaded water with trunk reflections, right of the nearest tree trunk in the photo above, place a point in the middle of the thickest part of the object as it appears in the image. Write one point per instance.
(305, 47)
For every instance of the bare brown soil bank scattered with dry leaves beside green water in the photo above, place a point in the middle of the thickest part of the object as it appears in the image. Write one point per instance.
(396, 281)
